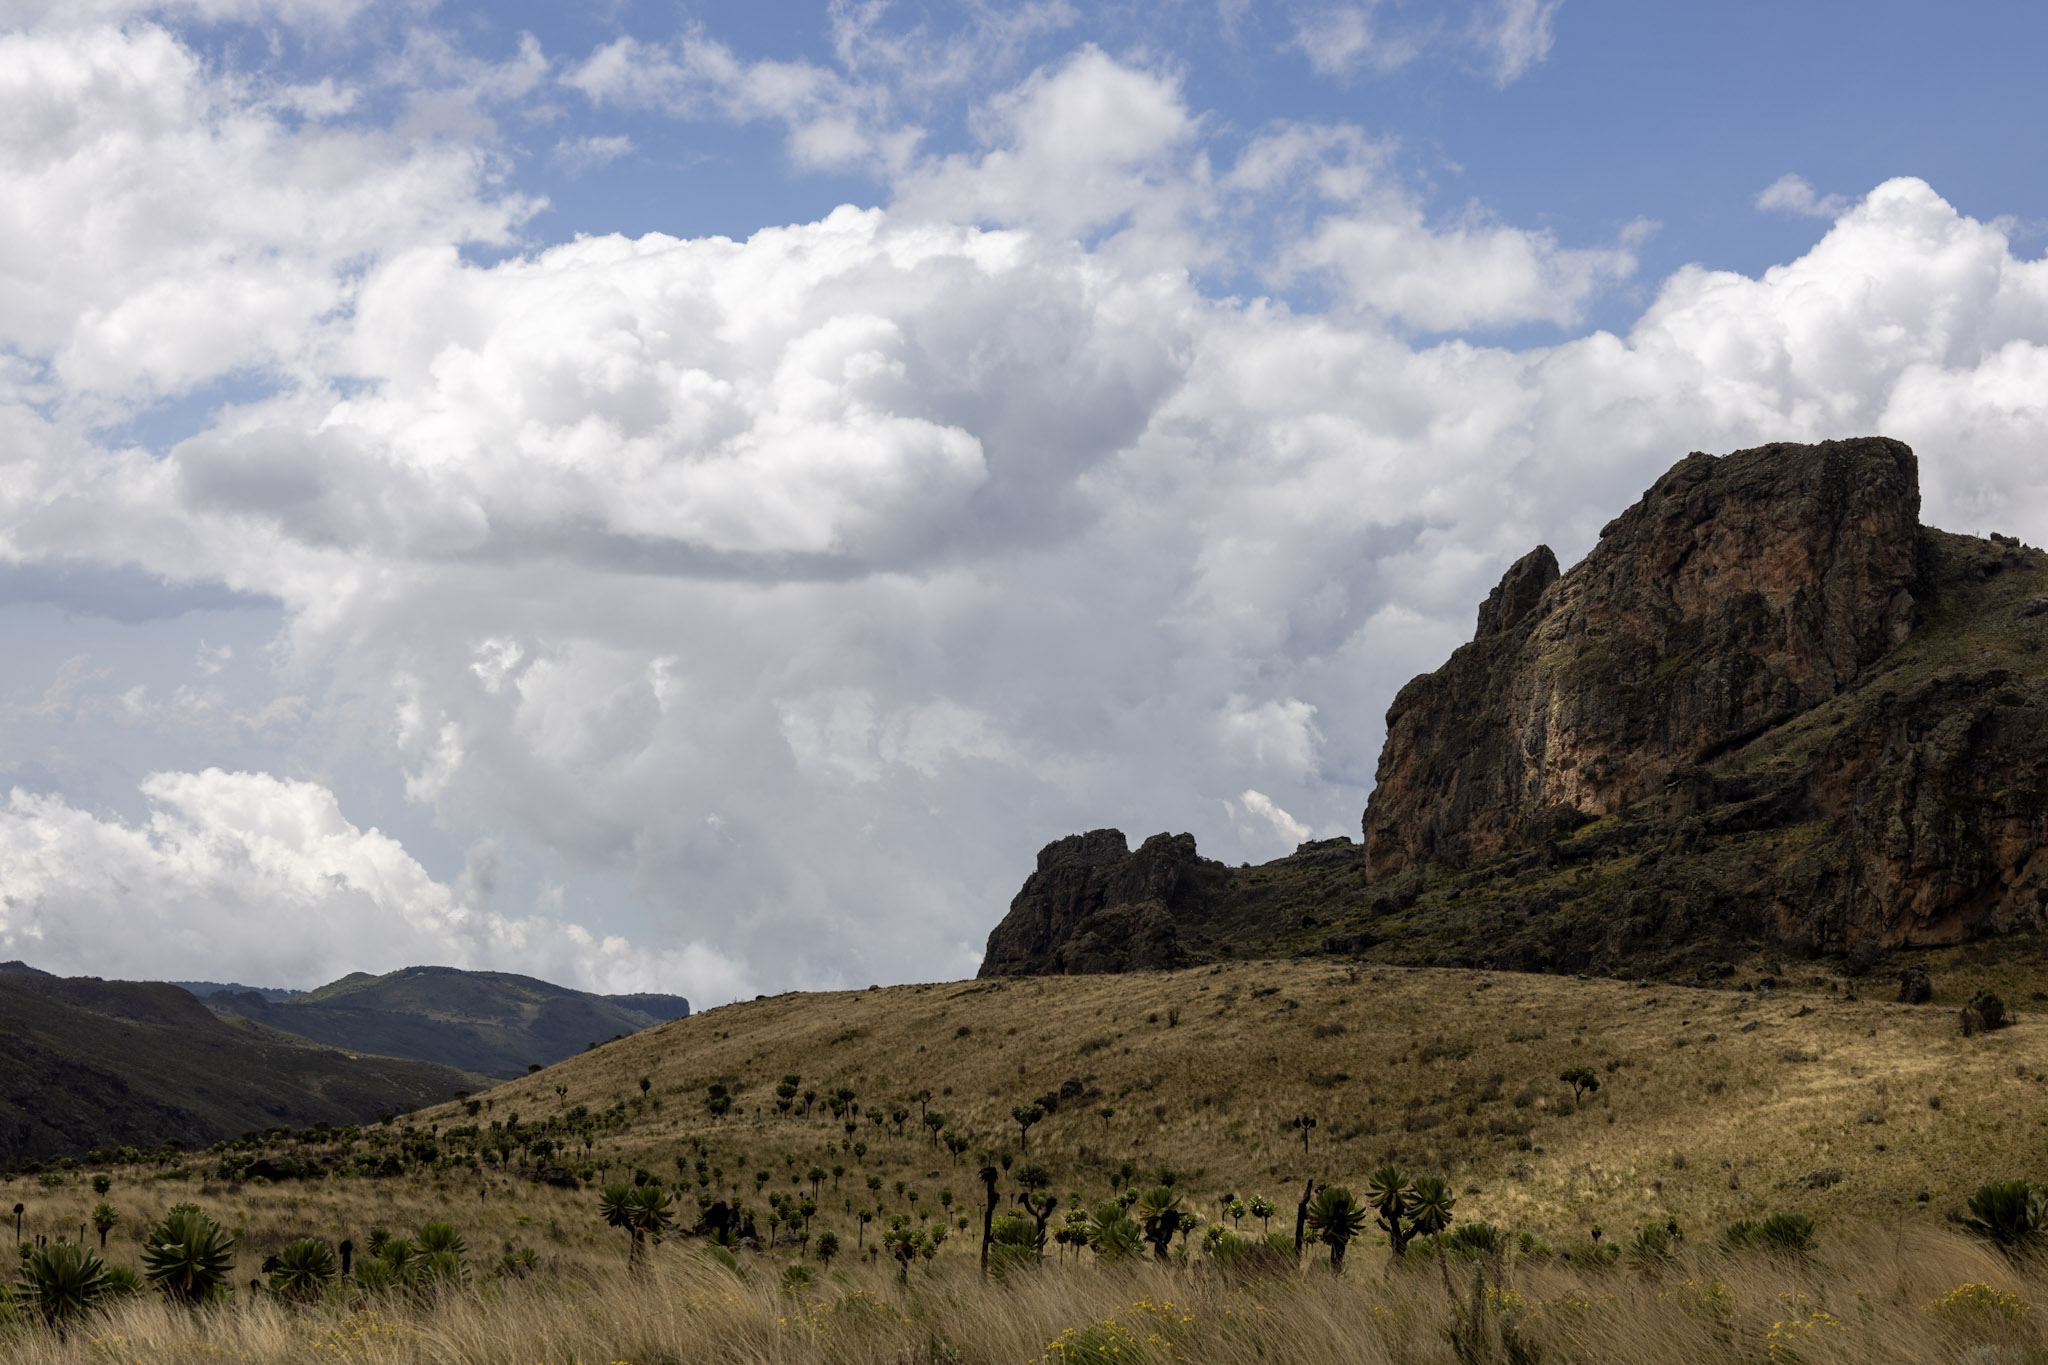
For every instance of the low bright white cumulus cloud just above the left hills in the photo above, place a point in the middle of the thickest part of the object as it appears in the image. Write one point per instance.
(271, 879)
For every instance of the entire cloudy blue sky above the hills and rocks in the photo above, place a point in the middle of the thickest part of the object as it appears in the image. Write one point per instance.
(693, 496)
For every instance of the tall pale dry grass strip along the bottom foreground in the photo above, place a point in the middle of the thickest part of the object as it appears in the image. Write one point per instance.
(1869, 1294)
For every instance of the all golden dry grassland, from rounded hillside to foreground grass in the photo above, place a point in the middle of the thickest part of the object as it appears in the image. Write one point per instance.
(1873, 1118)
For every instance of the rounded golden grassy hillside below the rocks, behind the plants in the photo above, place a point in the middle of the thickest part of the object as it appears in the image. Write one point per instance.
(1711, 1106)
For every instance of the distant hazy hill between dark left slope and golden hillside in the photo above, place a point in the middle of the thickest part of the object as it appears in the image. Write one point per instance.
(486, 1022)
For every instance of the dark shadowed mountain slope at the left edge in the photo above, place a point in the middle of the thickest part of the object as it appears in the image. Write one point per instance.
(120, 1063)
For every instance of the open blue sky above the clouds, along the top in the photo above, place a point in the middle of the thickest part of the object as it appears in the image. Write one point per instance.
(1668, 114)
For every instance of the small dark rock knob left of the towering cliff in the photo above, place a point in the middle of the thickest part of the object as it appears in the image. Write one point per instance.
(1097, 908)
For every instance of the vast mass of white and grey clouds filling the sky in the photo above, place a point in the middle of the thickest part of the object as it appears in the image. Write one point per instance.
(798, 588)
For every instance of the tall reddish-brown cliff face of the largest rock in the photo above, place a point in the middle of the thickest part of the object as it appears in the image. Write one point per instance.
(1734, 597)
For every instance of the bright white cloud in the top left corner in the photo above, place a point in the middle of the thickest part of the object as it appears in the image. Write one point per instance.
(128, 279)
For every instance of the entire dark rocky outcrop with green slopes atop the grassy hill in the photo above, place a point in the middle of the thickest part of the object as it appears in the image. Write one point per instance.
(1768, 715)
